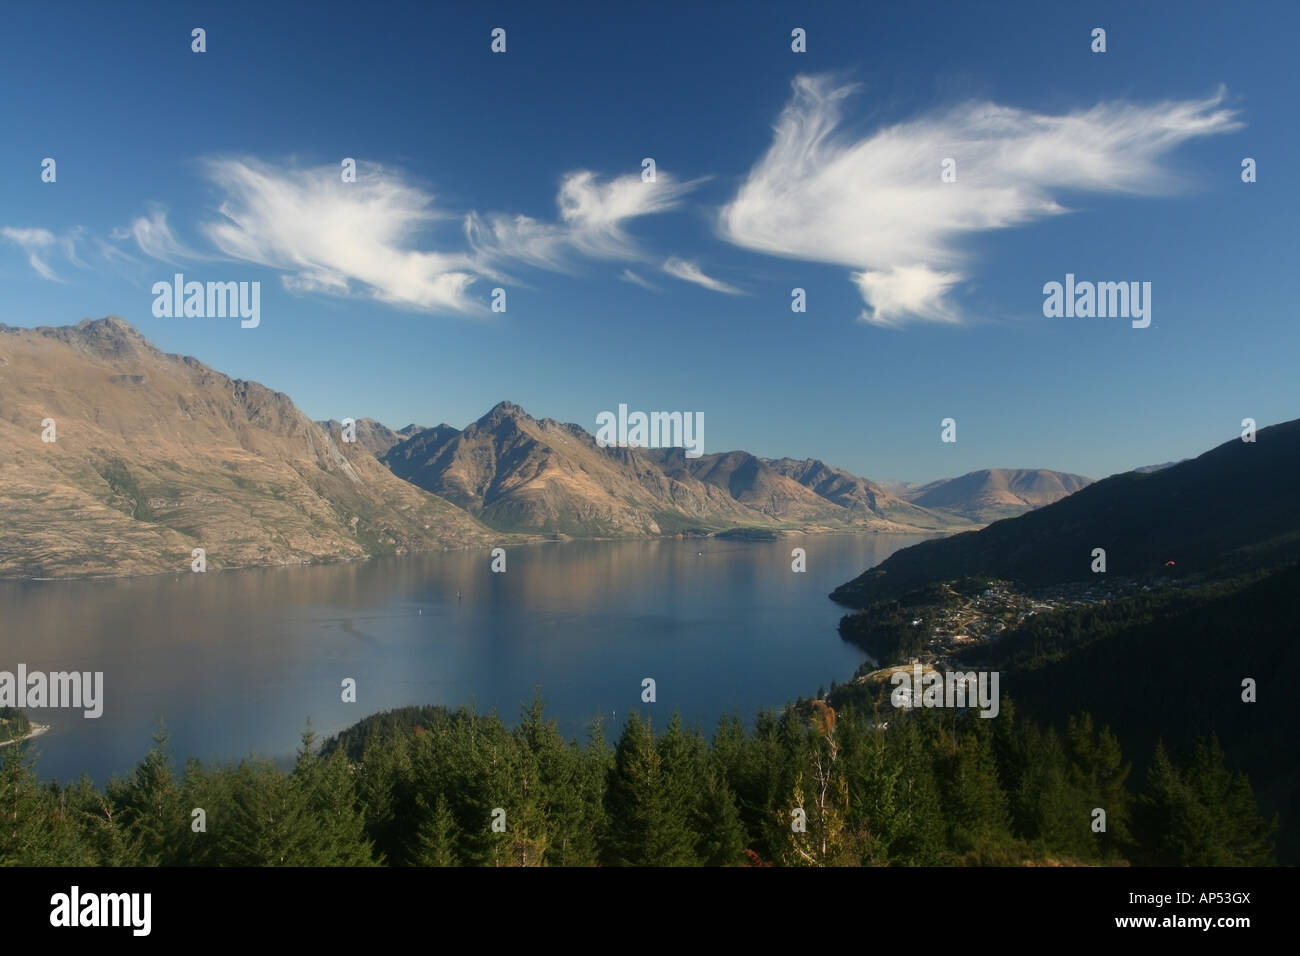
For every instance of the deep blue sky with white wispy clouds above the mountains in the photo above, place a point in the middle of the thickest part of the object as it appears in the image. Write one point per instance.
(774, 170)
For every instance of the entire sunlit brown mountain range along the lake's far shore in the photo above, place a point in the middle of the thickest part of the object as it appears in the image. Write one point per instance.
(155, 456)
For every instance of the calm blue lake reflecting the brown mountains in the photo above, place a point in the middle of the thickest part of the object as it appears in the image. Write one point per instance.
(236, 663)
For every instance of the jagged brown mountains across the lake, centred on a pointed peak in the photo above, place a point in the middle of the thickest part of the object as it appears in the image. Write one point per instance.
(523, 474)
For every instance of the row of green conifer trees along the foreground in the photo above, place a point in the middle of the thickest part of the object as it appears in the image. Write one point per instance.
(435, 788)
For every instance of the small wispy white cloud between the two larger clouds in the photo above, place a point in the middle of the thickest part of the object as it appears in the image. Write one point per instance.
(592, 223)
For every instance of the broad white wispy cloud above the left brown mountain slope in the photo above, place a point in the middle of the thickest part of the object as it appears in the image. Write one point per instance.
(328, 235)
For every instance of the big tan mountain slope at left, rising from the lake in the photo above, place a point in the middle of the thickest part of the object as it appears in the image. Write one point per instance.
(158, 455)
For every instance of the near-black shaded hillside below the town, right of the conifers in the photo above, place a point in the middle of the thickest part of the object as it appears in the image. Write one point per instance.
(1169, 668)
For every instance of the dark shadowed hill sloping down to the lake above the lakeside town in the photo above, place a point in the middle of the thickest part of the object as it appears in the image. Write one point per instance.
(1233, 508)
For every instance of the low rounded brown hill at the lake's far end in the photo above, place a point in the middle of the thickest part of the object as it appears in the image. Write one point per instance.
(995, 494)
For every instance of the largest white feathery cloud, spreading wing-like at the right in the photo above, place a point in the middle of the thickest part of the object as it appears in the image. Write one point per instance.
(878, 205)
